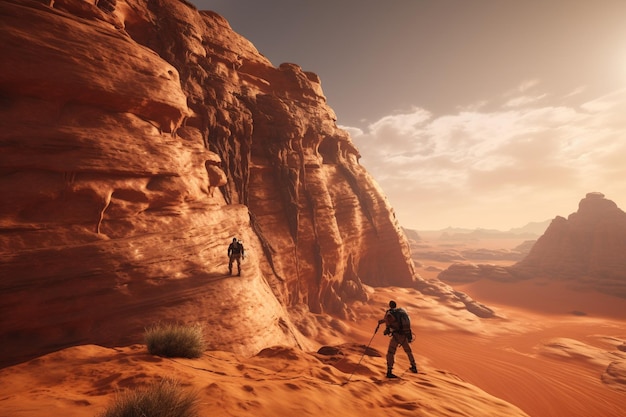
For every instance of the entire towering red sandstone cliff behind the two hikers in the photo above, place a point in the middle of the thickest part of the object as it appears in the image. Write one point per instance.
(138, 138)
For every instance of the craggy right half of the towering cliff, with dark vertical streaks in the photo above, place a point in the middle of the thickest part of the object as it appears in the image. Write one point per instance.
(324, 225)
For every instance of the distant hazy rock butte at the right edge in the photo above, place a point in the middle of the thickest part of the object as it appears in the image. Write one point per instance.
(588, 247)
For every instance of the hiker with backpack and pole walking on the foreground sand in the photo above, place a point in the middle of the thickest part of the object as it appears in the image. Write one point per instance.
(399, 327)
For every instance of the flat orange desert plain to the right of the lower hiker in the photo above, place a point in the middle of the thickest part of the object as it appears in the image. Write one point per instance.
(549, 352)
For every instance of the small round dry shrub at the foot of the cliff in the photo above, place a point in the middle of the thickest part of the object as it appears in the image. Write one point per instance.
(175, 340)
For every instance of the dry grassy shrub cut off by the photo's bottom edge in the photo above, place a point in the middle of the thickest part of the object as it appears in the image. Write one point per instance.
(165, 398)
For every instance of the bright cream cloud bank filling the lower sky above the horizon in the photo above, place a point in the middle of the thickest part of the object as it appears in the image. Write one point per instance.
(524, 161)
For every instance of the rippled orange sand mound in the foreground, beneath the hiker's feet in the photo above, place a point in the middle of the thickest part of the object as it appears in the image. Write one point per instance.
(279, 381)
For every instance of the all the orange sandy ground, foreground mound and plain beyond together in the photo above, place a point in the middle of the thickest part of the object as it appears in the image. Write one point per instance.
(536, 358)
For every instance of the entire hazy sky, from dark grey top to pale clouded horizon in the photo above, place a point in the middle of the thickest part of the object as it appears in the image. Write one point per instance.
(469, 113)
